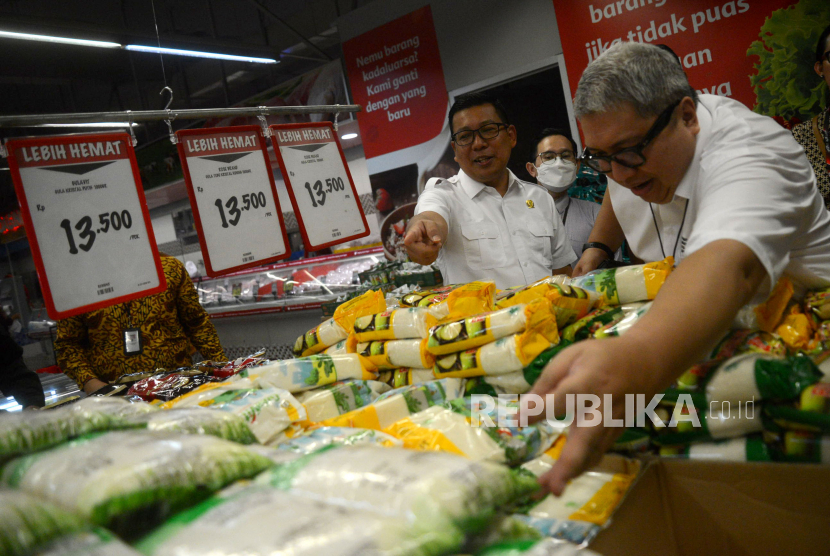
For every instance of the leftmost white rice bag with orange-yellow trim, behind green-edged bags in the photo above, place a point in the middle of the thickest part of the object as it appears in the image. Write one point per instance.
(268, 411)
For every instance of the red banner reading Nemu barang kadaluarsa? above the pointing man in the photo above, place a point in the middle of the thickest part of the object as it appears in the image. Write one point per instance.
(395, 73)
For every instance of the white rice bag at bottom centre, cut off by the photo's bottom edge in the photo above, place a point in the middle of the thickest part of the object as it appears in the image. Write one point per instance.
(257, 520)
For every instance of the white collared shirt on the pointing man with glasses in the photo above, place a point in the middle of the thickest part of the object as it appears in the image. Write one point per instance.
(512, 240)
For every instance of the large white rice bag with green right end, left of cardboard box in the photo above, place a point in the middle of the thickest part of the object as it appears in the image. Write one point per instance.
(429, 489)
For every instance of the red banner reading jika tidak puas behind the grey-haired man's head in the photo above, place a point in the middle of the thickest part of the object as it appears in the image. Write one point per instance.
(711, 37)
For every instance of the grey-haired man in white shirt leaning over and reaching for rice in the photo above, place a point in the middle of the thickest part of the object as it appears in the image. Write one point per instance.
(726, 191)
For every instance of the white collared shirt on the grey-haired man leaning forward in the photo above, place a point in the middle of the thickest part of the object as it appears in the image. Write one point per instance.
(749, 181)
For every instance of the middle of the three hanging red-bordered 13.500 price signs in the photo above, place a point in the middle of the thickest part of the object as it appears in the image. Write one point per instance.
(234, 198)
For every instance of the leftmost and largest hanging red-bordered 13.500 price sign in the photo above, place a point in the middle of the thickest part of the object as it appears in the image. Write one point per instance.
(86, 219)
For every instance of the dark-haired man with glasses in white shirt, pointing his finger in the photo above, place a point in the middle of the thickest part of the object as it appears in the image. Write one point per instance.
(484, 223)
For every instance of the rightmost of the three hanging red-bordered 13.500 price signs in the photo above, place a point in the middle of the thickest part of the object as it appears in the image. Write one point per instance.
(319, 184)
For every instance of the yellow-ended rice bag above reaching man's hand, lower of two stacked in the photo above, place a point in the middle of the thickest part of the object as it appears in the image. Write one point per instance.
(505, 355)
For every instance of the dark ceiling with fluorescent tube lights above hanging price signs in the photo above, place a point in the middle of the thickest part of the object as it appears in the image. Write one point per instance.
(46, 78)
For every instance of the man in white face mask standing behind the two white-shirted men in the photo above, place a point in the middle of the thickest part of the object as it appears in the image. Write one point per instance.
(554, 166)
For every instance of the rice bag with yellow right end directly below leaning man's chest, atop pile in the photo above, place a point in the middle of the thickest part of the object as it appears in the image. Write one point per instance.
(627, 284)
